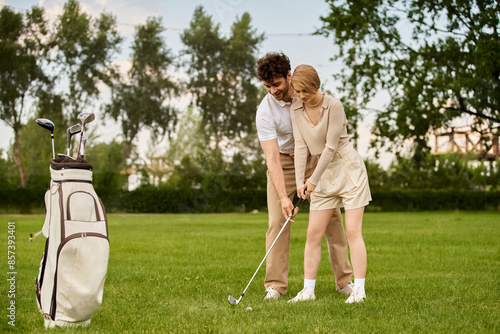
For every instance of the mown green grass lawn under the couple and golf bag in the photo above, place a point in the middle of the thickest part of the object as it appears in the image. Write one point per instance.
(428, 272)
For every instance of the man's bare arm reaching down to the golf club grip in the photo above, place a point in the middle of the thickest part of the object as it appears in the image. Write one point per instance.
(271, 151)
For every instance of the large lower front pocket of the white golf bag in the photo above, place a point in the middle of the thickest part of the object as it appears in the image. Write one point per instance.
(80, 274)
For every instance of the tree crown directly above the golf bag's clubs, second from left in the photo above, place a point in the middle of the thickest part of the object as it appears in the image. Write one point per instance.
(83, 49)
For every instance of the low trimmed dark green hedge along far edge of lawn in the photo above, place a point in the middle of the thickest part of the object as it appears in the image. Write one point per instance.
(154, 200)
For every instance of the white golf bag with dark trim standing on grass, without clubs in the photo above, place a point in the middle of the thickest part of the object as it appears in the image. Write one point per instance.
(70, 283)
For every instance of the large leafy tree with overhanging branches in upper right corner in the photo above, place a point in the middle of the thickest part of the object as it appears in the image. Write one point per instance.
(438, 60)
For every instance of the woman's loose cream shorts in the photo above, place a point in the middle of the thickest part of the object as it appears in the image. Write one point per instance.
(344, 183)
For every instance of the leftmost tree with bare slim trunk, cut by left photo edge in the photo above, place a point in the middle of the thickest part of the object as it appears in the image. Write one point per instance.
(21, 74)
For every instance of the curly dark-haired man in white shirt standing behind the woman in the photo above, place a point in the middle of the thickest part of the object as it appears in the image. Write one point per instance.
(274, 128)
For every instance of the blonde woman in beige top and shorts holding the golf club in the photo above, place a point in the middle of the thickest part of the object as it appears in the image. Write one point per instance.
(340, 178)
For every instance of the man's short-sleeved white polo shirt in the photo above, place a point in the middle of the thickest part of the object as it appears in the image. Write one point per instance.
(273, 121)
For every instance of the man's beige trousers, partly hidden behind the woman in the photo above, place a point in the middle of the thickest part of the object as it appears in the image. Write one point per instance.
(277, 260)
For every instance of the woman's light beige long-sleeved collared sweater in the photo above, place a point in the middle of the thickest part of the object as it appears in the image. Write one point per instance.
(325, 138)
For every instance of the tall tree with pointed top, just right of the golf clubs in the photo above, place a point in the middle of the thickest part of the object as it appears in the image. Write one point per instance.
(144, 99)
